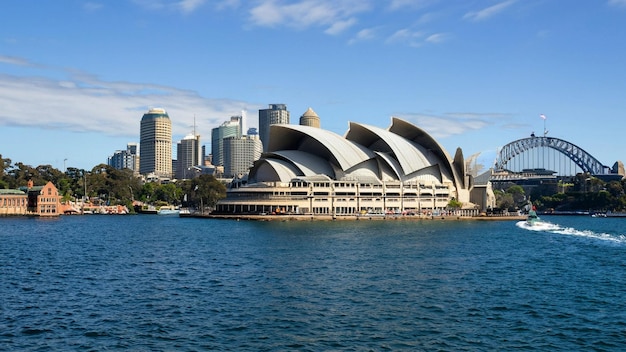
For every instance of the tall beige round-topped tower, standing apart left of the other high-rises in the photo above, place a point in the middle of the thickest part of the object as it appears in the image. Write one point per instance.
(156, 144)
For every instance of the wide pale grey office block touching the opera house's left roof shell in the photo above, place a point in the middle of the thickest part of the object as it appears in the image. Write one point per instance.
(240, 153)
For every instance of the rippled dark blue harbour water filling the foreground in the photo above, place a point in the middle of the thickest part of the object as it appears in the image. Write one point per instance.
(151, 283)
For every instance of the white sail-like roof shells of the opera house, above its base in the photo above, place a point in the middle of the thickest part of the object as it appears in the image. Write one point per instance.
(403, 152)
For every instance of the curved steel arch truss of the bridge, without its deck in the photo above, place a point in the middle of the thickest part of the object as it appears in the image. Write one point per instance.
(585, 161)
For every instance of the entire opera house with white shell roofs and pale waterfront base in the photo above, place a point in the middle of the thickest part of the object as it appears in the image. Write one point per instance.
(370, 170)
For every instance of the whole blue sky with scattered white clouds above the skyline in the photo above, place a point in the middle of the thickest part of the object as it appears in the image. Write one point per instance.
(77, 76)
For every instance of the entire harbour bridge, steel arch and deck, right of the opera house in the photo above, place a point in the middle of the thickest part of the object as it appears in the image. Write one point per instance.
(546, 157)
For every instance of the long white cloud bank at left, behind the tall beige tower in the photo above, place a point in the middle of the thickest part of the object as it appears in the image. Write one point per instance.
(86, 104)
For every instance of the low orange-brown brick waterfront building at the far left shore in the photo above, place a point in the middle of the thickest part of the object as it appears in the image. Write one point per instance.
(30, 200)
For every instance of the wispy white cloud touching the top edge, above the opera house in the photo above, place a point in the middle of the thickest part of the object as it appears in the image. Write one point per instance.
(334, 15)
